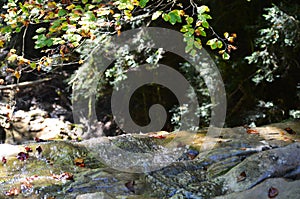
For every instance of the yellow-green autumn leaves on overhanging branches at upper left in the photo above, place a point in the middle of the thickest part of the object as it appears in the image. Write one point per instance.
(75, 26)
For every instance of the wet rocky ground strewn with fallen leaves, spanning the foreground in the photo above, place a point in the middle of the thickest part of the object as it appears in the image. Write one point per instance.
(46, 158)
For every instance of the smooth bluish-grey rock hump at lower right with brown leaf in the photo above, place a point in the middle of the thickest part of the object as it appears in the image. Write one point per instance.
(261, 166)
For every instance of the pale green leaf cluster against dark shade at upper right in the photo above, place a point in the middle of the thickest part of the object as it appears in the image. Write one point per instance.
(276, 45)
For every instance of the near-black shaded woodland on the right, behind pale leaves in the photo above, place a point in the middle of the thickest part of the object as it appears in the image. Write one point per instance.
(247, 100)
